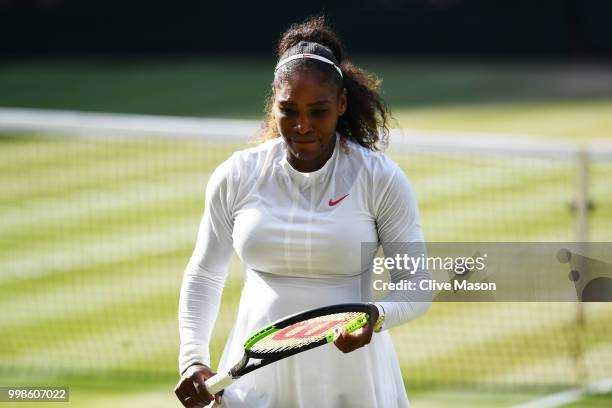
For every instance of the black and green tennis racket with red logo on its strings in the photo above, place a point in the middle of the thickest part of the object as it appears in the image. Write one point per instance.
(292, 335)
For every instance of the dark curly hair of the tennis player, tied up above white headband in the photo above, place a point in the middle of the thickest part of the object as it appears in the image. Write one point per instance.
(366, 118)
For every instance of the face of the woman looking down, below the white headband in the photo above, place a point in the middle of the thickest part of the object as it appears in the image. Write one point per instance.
(306, 110)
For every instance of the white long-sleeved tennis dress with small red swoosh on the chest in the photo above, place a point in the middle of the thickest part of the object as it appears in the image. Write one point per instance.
(300, 238)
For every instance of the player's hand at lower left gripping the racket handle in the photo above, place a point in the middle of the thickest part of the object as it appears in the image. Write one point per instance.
(191, 390)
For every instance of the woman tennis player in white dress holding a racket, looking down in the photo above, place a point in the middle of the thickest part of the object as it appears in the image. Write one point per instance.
(297, 209)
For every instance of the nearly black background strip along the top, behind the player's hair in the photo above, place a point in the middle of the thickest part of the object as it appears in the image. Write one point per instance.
(544, 28)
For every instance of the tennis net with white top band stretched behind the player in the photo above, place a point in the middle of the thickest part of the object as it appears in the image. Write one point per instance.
(99, 215)
